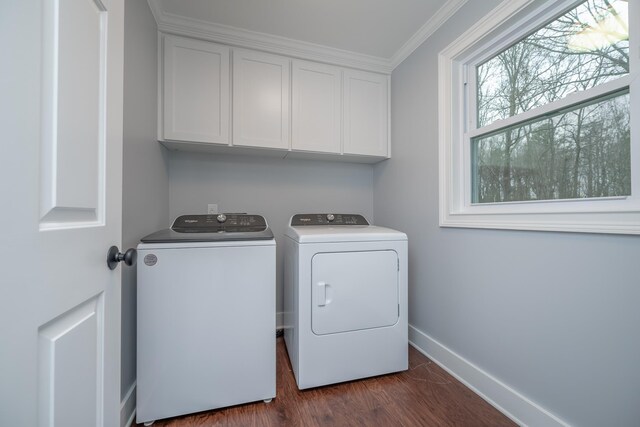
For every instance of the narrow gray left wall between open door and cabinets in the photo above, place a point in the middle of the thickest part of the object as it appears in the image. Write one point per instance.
(145, 195)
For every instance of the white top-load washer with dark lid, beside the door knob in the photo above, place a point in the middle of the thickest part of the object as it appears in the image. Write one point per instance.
(206, 315)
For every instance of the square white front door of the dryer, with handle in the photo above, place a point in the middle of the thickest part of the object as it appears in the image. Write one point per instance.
(353, 291)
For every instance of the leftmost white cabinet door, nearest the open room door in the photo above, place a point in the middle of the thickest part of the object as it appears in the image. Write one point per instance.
(196, 91)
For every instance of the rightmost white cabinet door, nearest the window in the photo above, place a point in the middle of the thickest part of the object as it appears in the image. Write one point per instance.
(366, 113)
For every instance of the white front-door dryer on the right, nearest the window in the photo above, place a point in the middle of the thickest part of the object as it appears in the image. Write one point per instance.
(345, 299)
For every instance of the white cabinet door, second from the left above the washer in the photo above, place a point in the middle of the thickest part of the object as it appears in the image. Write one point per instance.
(260, 100)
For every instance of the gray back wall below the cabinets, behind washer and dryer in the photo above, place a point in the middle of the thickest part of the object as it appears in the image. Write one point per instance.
(273, 187)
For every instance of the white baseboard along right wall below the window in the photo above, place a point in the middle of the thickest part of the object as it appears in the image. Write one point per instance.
(514, 405)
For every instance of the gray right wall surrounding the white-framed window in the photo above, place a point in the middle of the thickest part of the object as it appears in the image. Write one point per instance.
(553, 315)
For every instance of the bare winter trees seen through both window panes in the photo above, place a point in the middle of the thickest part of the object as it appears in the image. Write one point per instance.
(578, 152)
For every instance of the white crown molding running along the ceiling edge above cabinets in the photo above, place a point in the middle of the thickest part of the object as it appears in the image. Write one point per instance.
(180, 25)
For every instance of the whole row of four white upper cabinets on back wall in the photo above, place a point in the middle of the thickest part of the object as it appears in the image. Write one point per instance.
(275, 105)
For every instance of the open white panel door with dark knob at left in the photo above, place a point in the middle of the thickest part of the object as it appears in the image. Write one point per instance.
(60, 184)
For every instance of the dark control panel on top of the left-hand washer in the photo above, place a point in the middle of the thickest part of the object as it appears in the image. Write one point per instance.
(221, 223)
